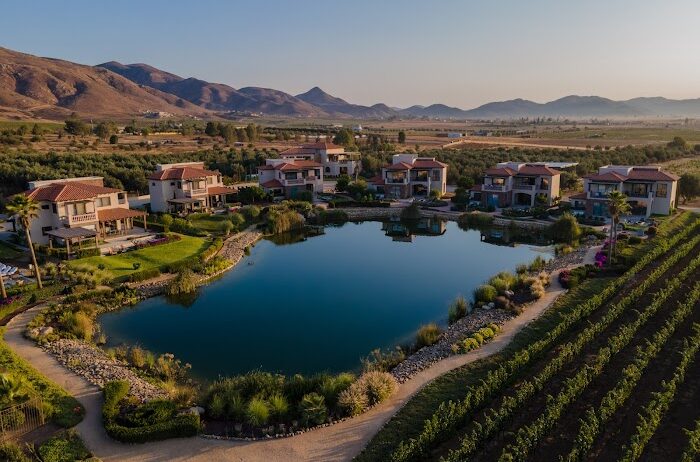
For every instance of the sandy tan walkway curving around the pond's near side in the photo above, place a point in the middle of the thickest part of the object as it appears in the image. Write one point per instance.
(337, 442)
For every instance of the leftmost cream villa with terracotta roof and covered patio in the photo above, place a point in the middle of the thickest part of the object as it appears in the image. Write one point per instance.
(79, 208)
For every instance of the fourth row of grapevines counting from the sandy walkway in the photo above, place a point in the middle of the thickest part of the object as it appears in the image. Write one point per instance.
(593, 421)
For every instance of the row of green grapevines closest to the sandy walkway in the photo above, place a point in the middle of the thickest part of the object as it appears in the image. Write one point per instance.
(450, 415)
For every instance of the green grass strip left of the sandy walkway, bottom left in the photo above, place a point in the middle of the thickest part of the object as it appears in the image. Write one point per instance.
(60, 405)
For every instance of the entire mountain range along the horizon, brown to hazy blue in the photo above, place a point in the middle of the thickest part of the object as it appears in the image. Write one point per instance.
(36, 87)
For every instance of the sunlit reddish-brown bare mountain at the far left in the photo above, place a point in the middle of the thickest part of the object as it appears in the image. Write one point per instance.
(36, 87)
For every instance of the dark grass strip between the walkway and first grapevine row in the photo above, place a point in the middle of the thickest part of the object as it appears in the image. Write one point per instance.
(408, 422)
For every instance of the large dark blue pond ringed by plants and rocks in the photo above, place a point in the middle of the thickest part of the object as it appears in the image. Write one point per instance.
(319, 304)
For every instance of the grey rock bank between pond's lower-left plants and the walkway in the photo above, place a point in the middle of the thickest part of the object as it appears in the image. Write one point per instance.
(96, 367)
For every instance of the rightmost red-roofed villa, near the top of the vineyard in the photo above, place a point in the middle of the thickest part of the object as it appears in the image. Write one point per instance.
(649, 190)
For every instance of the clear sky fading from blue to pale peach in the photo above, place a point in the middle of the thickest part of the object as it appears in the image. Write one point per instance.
(399, 52)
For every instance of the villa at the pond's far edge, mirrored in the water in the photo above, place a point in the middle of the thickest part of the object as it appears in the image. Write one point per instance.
(411, 176)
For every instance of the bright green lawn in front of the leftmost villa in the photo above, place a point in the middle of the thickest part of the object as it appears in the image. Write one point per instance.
(150, 257)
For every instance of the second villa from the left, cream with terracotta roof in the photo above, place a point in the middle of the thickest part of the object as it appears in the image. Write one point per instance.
(186, 187)
